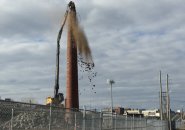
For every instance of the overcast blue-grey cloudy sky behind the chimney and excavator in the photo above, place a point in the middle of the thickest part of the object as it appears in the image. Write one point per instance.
(130, 40)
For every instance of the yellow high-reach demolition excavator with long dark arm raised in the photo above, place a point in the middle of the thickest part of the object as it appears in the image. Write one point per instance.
(58, 97)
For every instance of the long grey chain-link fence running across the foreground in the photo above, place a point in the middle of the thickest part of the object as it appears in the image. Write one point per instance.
(22, 116)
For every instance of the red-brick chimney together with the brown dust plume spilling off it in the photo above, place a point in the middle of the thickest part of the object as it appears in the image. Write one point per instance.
(76, 40)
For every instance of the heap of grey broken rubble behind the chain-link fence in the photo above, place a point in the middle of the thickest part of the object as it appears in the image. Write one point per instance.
(34, 120)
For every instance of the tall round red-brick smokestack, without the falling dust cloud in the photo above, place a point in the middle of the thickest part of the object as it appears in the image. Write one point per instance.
(72, 98)
